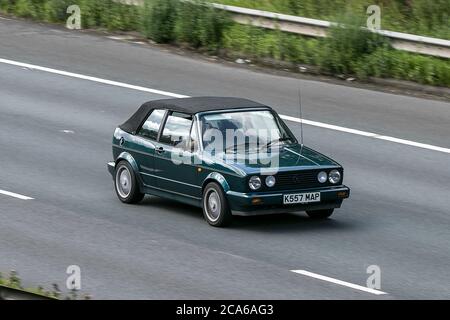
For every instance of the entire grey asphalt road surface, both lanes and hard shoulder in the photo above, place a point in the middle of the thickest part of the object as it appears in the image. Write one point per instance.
(55, 138)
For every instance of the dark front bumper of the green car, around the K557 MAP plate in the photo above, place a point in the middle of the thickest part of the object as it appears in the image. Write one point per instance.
(258, 203)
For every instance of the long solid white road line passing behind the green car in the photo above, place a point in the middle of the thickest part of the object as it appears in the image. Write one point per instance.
(175, 95)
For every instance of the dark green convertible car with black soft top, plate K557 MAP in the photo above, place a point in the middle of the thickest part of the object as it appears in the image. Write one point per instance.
(229, 156)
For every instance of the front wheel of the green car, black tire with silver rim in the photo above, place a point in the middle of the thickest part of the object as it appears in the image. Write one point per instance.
(220, 216)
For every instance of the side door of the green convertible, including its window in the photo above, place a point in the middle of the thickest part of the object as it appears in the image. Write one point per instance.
(173, 157)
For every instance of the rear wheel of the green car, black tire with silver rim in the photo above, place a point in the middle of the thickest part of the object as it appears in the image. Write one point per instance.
(127, 190)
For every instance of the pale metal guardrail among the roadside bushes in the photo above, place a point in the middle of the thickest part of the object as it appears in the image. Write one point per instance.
(318, 28)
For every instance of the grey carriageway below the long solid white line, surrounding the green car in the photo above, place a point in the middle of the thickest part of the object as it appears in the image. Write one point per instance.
(397, 219)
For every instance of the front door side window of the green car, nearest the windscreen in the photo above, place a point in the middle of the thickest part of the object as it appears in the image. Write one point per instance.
(177, 130)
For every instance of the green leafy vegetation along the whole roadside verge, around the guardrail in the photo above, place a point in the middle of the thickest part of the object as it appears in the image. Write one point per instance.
(348, 50)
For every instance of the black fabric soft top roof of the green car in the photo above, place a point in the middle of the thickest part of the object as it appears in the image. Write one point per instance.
(186, 105)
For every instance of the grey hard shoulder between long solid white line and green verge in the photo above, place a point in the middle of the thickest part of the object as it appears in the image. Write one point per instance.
(152, 66)
